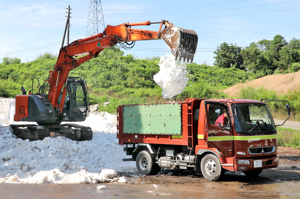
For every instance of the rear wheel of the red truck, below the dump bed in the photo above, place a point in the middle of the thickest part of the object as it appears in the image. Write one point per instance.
(145, 164)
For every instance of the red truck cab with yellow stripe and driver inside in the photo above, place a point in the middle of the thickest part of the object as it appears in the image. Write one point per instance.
(247, 141)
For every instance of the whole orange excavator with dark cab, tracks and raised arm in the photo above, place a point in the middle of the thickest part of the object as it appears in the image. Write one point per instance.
(64, 99)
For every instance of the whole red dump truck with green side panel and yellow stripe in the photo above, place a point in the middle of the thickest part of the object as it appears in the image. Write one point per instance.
(208, 135)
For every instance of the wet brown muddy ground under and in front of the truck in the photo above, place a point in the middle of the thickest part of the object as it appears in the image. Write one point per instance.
(281, 182)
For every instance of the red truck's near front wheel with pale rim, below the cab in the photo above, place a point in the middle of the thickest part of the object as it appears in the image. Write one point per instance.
(211, 167)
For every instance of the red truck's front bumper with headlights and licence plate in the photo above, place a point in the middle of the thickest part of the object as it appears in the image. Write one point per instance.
(248, 164)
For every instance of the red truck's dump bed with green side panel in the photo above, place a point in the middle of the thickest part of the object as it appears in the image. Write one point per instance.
(170, 124)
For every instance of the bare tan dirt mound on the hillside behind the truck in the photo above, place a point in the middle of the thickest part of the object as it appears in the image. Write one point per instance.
(279, 83)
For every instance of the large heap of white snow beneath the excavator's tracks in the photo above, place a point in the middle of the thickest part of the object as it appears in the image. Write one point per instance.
(61, 160)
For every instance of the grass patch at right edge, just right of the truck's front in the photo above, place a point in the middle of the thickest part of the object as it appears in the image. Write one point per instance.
(288, 137)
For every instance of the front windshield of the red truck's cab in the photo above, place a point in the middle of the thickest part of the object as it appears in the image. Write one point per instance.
(253, 118)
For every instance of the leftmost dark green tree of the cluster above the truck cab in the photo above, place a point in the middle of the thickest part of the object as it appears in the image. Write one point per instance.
(228, 56)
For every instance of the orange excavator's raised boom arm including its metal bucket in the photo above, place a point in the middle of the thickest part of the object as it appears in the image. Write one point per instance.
(182, 42)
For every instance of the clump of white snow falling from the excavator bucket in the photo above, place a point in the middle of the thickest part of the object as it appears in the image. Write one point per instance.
(171, 77)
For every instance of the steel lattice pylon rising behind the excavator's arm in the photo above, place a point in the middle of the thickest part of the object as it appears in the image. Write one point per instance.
(95, 22)
